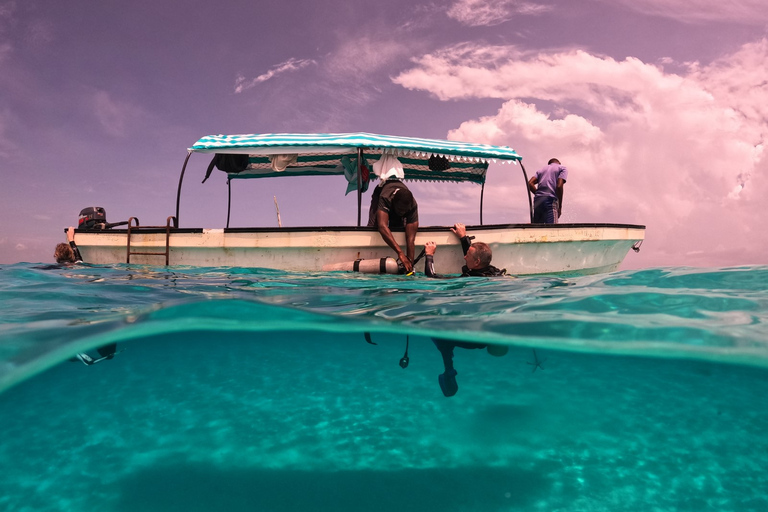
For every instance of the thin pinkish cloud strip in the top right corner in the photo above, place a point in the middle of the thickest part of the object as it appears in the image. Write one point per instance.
(753, 12)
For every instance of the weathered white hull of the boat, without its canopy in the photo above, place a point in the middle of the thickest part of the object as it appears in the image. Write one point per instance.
(522, 249)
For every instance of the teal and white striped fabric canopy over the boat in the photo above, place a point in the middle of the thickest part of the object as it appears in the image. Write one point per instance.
(328, 154)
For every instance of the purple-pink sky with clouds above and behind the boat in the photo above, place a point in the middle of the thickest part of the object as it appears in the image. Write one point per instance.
(658, 108)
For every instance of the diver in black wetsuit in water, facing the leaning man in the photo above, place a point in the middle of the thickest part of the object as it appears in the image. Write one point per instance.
(478, 263)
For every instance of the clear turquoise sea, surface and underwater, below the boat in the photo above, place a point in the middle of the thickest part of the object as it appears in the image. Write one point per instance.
(238, 389)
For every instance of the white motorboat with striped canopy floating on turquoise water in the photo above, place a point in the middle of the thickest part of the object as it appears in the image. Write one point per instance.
(523, 249)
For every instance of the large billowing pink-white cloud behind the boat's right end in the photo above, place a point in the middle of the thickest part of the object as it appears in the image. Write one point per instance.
(681, 153)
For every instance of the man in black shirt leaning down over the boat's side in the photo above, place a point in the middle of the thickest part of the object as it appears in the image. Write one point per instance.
(393, 206)
